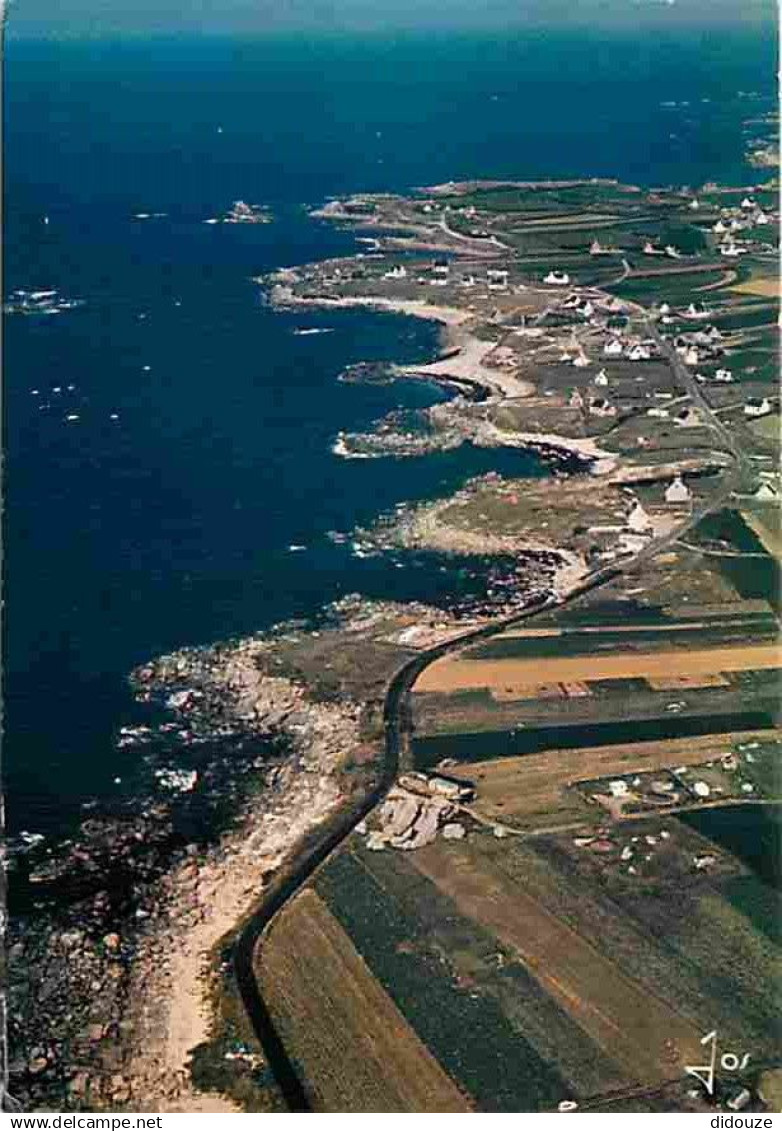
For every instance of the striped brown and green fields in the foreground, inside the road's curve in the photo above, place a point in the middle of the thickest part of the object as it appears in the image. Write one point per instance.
(501, 975)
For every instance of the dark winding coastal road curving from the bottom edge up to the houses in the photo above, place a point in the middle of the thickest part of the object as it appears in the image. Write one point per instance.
(329, 839)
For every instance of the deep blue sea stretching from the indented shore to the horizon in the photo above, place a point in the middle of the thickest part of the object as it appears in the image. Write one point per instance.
(171, 525)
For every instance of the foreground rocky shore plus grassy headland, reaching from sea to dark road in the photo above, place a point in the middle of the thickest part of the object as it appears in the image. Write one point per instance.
(109, 985)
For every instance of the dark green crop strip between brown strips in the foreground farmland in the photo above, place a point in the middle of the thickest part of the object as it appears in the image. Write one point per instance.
(417, 946)
